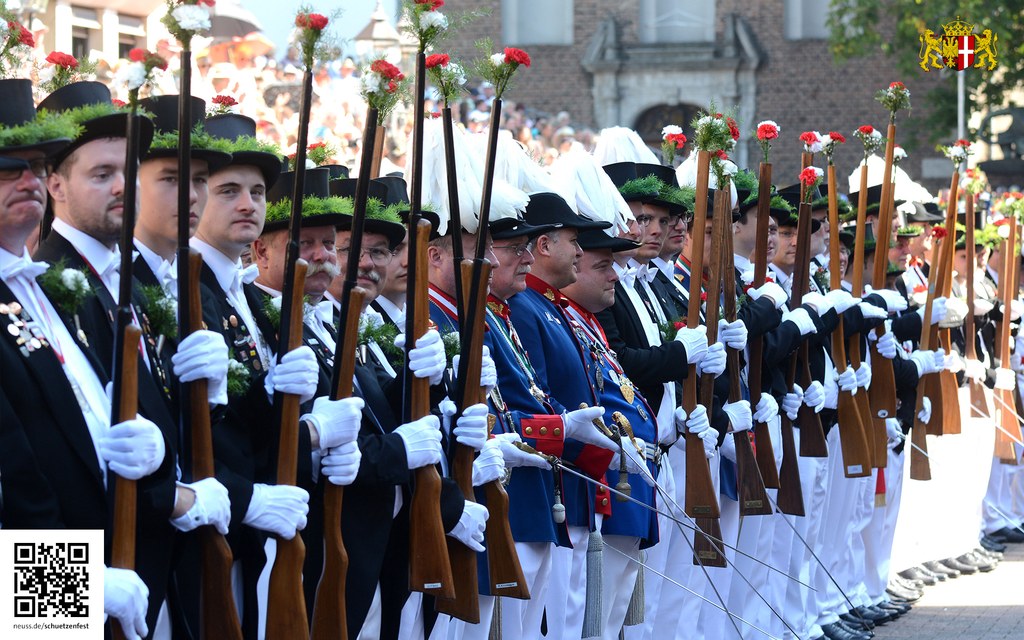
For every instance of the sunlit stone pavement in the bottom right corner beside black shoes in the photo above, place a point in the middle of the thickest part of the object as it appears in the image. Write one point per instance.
(984, 607)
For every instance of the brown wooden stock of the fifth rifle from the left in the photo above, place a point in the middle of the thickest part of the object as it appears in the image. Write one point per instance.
(430, 569)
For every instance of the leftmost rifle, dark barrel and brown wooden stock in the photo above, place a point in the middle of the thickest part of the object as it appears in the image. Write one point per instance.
(124, 400)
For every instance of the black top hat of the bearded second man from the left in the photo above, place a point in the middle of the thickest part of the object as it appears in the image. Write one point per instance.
(113, 125)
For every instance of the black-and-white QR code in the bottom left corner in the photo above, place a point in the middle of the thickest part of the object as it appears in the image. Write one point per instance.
(52, 580)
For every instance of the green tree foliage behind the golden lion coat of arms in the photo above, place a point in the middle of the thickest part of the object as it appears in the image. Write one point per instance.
(863, 28)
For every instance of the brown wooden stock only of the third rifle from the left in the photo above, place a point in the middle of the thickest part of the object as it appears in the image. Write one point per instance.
(286, 617)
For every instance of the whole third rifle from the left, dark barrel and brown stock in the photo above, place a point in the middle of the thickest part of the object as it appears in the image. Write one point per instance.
(286, 616)
